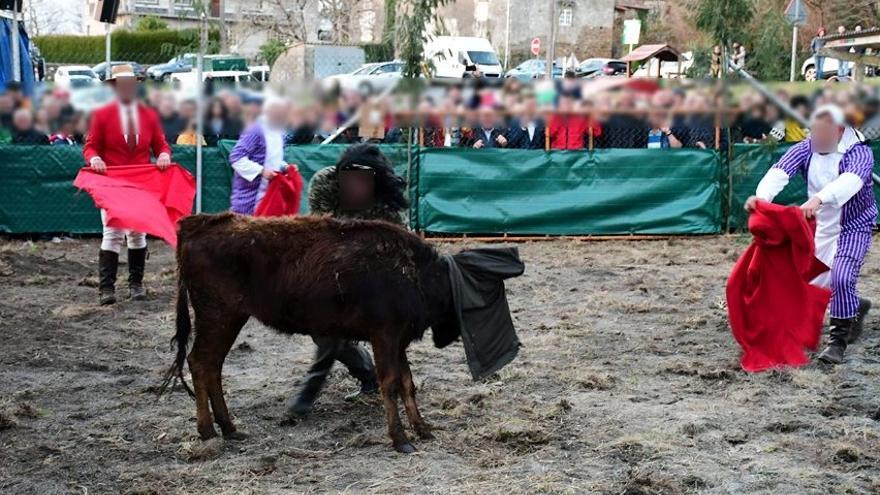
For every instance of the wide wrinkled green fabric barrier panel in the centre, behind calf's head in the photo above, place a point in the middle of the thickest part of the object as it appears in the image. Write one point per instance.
(614, 191)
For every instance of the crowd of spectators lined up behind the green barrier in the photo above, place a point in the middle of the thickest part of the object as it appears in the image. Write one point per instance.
(566, 114)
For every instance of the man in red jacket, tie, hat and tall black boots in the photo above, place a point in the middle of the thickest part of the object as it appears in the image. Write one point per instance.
(124, 132)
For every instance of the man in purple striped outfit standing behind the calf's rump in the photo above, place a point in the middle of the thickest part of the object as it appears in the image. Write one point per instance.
(258, 156)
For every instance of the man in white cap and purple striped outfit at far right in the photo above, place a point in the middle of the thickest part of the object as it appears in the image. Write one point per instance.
(837, 164)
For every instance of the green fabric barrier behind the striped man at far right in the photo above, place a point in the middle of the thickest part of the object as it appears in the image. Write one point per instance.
(748, 165)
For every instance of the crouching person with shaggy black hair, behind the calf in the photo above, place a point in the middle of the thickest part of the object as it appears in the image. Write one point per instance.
(362, 185)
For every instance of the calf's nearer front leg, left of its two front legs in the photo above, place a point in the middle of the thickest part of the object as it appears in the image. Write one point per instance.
(388, 371)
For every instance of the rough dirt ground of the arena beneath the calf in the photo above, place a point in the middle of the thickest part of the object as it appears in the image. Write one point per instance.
(628, 383)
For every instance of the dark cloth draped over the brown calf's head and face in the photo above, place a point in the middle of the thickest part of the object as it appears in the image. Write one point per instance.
(477, 278)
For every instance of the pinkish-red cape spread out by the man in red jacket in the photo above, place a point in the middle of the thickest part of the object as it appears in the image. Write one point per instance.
(141, 198)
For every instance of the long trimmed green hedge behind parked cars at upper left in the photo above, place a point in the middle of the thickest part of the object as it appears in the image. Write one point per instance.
(152, 47)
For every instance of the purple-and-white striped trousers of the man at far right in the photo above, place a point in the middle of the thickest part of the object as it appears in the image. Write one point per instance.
(852, 247)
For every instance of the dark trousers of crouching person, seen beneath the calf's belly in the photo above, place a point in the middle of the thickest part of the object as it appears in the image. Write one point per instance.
(350, 353)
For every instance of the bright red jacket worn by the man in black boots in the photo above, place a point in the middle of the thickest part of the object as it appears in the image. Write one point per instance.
(106, 137)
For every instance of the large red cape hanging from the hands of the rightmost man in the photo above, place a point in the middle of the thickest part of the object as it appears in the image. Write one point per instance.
(774, 312)
